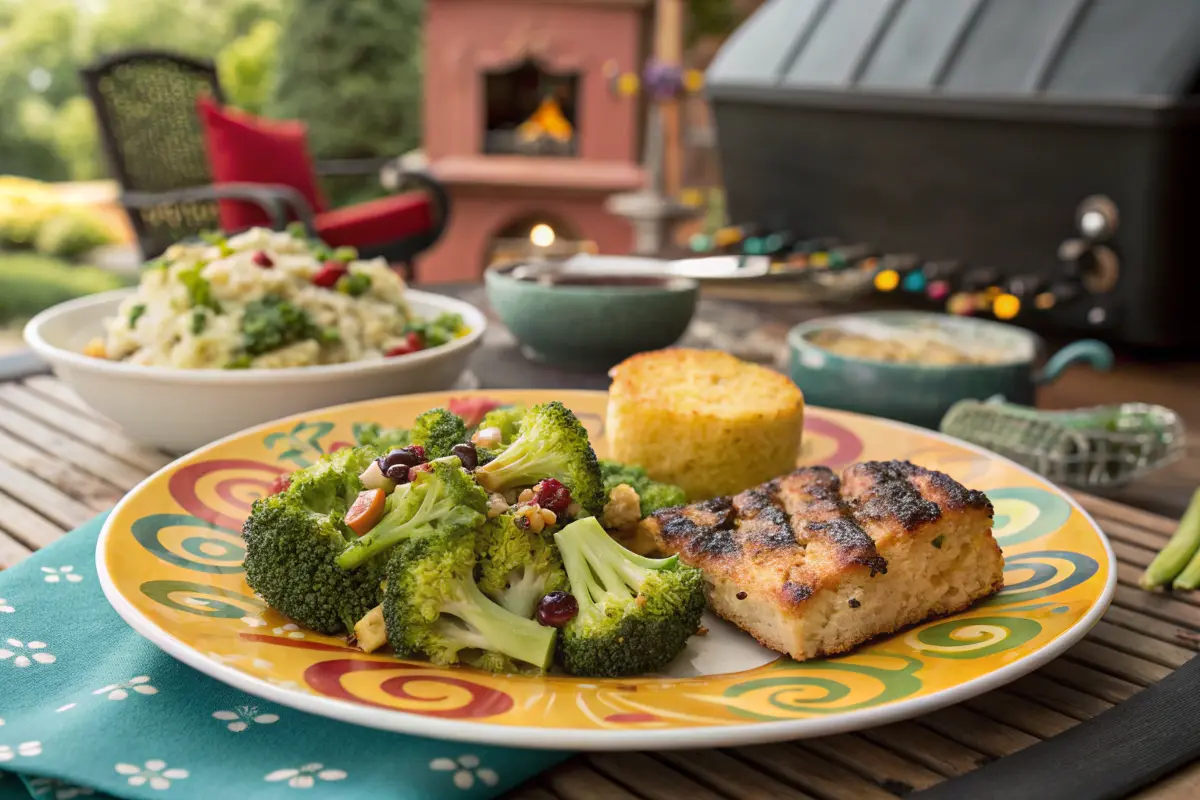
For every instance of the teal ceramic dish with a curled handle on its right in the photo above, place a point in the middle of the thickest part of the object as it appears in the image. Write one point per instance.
(920, 393)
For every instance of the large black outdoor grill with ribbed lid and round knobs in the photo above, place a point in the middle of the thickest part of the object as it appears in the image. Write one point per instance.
(1035, 160)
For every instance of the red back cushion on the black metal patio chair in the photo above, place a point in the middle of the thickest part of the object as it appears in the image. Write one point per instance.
(248, 149)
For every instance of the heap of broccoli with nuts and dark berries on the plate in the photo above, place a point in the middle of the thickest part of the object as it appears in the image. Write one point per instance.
(483, 536)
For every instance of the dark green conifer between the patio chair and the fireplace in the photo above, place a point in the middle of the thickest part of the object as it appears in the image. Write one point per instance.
(352, 71)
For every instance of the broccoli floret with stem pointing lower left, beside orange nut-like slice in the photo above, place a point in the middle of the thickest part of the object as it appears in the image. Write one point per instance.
(445, 500)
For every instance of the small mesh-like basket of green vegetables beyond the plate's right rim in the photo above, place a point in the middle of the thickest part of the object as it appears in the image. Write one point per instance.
(1093, 449)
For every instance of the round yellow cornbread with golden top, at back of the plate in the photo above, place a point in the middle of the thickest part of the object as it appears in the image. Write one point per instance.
(704, 420)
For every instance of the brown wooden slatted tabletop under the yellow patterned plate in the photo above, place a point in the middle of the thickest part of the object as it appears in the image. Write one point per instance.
(61, 465)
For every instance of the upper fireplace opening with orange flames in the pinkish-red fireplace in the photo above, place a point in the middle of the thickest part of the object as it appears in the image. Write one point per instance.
(531, 112)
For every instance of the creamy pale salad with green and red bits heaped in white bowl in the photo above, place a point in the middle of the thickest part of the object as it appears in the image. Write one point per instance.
(267, 299)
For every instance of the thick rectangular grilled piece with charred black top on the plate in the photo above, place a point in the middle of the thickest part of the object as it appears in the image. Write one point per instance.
(813, 566)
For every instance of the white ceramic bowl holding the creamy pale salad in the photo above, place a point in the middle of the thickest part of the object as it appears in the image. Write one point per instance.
(182, 410)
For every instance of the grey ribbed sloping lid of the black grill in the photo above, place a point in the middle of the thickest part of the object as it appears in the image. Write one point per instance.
(1112, 53)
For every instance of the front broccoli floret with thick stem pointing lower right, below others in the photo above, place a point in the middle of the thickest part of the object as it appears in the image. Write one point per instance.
(433, 607)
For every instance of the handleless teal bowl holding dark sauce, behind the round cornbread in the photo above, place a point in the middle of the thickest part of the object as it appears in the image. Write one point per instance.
(591, 321)
